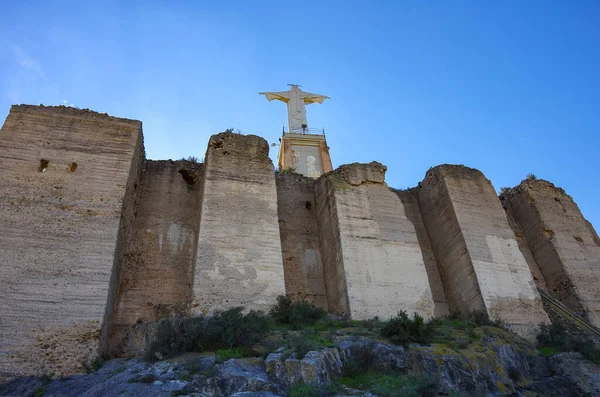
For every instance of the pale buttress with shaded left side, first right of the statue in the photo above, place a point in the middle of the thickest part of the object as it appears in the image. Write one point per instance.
(376, 261)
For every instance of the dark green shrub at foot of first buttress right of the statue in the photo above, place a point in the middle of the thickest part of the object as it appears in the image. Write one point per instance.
(402, 330)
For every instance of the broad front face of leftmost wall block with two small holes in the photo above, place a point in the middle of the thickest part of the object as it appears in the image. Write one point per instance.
(65, 174)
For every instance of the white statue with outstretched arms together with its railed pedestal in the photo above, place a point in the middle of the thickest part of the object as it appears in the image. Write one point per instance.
(302, 148)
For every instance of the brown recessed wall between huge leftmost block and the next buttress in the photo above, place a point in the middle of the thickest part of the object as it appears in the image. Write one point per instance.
(157, 273)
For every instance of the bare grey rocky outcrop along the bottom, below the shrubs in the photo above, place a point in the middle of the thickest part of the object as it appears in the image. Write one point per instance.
(496, 365)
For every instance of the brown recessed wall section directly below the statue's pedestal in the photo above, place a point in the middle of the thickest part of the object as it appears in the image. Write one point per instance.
(299, 232)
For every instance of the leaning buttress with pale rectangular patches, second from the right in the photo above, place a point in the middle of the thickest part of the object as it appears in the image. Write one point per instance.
(481, 265)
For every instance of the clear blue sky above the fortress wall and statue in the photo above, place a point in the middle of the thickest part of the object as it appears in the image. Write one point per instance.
(507, 87)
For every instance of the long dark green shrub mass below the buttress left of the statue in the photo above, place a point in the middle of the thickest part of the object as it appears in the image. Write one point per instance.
(223, 330)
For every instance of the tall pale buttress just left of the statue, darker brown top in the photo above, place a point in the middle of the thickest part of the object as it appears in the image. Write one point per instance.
(239, 261)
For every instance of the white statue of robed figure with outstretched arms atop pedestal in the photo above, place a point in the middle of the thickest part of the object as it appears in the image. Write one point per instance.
(296, 99)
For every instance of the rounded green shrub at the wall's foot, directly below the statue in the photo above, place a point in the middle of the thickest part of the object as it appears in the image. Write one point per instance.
(296, 313)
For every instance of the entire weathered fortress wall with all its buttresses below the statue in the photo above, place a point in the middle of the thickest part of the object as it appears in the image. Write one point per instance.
(96, 241)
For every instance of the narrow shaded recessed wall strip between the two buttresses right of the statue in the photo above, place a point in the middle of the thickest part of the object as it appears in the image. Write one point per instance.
(413, 214)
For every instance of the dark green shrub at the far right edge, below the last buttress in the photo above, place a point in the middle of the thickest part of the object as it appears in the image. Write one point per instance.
(554, 338)
